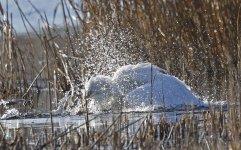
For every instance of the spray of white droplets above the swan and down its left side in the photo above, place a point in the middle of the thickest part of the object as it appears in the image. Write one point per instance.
(101, 51)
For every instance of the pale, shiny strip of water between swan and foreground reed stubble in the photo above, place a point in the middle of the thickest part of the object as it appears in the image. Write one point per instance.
(39, 127)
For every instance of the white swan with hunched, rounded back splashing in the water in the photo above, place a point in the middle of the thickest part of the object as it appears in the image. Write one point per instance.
(134, 86)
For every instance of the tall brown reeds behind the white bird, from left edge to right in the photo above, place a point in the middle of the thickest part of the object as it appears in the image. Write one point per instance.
(199, 42)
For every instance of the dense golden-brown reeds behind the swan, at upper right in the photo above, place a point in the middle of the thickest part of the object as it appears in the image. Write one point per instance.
(198, 41)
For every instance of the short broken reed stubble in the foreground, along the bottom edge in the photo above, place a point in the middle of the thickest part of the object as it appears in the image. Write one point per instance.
(210, 129)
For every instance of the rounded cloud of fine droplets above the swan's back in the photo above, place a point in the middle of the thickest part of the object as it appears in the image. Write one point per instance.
(108, 48)
